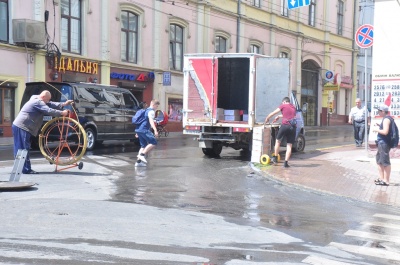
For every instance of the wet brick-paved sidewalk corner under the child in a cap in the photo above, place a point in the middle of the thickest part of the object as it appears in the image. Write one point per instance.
(345, 171)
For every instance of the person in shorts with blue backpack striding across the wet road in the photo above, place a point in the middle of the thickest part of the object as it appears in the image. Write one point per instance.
(146, 137)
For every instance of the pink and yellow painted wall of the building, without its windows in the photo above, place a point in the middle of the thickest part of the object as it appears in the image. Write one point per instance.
(268, 26)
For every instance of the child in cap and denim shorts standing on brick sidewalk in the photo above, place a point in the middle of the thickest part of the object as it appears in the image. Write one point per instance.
(383, 143)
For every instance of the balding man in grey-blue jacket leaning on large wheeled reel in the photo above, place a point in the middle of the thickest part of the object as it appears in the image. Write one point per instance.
(30, 119)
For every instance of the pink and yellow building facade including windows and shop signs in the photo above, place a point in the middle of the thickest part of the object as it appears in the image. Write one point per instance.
(139, 45)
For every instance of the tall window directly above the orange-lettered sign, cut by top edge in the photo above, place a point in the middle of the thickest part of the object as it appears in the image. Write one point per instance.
(71, 26)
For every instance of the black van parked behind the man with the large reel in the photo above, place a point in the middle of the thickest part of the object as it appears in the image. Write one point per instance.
(105, 112)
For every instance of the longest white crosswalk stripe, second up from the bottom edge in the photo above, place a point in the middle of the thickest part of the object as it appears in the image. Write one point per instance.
(372, 252)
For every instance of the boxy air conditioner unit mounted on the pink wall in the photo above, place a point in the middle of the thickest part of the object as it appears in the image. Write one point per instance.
(30, 31)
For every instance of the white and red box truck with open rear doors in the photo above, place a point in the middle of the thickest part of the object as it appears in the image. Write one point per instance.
(226, 96)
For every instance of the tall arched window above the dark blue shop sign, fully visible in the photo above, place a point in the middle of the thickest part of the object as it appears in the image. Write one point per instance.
(129, 37)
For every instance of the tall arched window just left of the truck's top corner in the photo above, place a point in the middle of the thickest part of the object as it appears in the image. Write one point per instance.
(175, 47)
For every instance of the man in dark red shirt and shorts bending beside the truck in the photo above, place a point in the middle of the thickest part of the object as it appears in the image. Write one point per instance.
(287, 129)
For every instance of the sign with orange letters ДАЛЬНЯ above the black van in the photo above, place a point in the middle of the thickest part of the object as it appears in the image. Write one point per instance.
(76, 65)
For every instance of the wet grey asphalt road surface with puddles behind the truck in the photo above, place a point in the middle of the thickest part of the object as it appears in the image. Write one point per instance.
(262, 220)
